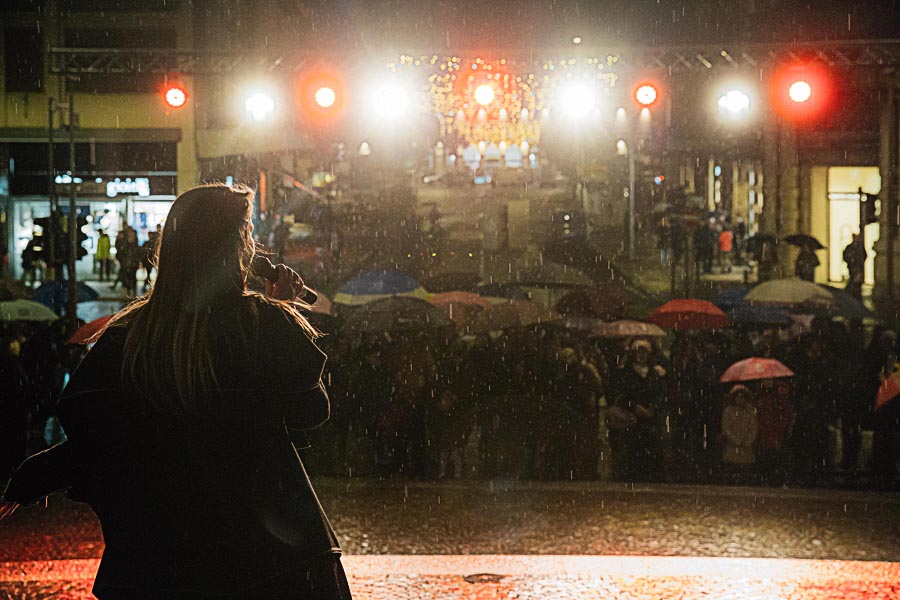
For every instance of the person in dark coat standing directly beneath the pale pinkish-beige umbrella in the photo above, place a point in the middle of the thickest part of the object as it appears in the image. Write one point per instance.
(638, 398)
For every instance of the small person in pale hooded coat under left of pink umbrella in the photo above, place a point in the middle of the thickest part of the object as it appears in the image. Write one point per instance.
(740, 433)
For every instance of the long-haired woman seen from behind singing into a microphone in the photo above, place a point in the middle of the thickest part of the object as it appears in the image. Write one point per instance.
(178, 424)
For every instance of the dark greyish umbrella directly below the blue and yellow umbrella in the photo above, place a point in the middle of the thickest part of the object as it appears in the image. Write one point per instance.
(395, 315)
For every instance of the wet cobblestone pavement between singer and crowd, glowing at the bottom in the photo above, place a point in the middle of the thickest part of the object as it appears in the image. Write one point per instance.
(545, 541)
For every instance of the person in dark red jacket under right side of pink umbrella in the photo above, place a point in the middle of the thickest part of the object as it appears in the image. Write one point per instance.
(776, 417)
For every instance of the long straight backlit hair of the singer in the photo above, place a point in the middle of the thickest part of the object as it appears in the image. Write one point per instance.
(203, 259)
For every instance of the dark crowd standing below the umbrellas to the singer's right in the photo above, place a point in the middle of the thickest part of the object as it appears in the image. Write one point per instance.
(547, 403)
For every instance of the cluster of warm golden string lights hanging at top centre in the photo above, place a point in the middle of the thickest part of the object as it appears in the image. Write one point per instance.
(523, 93)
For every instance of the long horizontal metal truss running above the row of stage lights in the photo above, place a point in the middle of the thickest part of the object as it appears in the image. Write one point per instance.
(878, 54)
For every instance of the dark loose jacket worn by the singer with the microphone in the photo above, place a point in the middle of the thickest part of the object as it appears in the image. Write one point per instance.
(214, 501)
